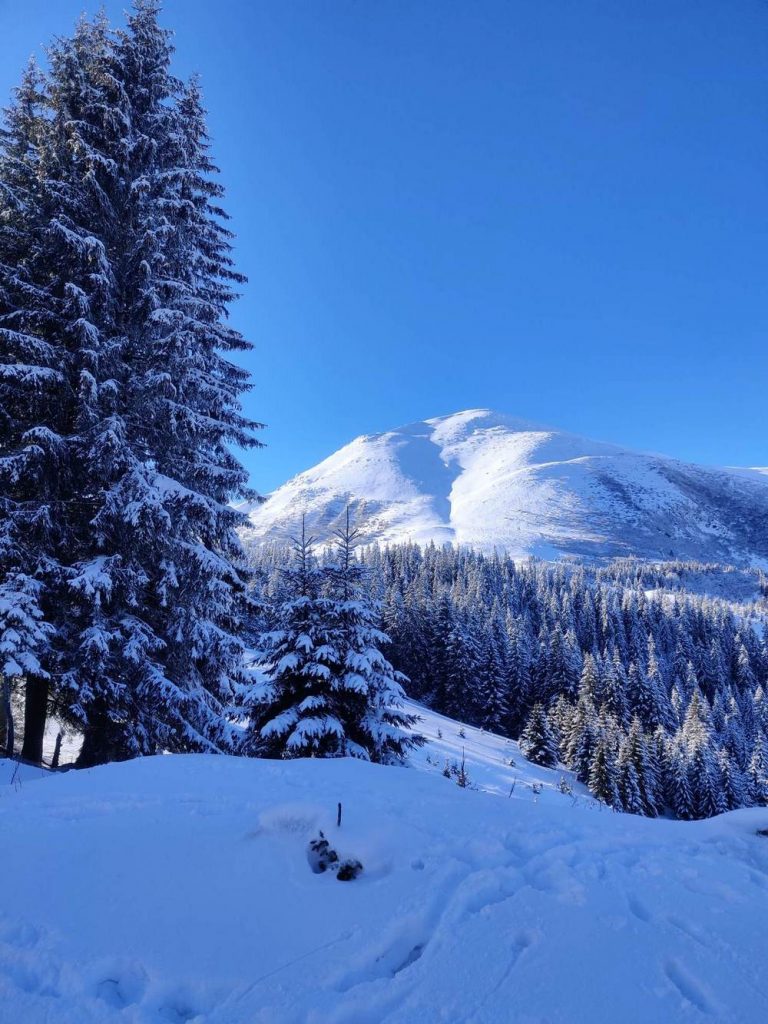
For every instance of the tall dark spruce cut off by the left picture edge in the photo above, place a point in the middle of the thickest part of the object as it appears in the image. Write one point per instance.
(33, 409)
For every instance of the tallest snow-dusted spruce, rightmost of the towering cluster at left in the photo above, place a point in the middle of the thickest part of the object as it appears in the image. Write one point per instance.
(177, 587)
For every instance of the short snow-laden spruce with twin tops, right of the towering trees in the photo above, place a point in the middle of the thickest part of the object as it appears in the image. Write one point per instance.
(328, 690)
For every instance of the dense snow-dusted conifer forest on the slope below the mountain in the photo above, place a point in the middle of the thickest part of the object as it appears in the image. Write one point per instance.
(656, 699)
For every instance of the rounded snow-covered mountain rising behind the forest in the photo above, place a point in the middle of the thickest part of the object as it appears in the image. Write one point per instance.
(490, 481)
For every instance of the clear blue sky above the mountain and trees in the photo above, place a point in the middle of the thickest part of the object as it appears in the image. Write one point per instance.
(557, 209)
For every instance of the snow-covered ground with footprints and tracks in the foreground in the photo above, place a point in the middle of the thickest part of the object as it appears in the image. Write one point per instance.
(177, 889)
